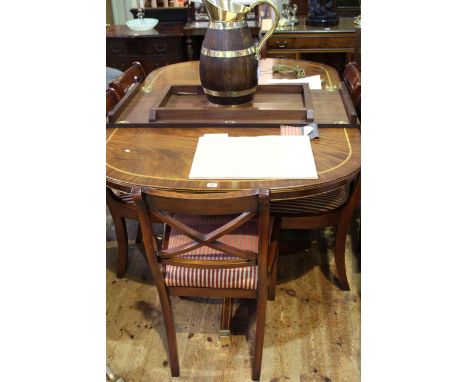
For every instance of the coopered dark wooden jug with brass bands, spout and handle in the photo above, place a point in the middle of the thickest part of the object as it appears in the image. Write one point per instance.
(229, 57)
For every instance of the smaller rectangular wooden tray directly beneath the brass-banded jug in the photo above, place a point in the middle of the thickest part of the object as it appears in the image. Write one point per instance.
(272, 105)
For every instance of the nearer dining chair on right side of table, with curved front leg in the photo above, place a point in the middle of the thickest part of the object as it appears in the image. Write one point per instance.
(334, 208)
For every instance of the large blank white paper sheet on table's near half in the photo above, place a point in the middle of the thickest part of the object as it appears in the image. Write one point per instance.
(264, 157)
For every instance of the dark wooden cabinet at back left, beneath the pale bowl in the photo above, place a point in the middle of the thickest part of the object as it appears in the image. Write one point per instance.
(153, 49)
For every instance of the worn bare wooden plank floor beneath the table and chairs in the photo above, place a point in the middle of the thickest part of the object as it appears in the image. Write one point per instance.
(312, 329)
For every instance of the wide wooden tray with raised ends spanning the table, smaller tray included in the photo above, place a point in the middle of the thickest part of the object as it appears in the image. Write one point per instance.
(273, 105)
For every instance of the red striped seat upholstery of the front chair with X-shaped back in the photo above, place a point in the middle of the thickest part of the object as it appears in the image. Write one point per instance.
(245, 237)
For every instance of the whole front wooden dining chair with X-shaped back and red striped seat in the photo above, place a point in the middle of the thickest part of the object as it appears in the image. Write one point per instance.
(214, 245)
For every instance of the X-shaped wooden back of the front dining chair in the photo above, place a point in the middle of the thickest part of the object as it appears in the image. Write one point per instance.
(239, 208)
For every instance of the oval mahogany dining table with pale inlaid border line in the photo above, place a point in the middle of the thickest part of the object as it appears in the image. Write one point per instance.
(161, 157)
